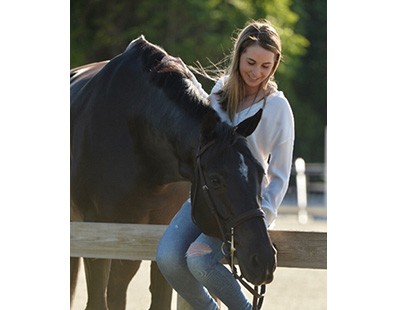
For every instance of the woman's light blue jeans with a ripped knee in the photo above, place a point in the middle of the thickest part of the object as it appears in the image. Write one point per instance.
(190, 261)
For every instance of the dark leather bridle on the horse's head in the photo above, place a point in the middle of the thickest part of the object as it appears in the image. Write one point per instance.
(227, 229)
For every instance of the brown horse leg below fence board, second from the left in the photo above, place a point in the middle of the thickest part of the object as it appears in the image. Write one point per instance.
(97, 276)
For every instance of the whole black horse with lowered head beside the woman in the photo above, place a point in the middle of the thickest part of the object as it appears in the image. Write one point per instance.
(140, 134)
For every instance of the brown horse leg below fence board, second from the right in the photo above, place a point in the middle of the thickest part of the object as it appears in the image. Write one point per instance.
(121, 273)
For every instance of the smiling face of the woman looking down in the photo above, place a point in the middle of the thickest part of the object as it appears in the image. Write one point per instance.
(256, 64)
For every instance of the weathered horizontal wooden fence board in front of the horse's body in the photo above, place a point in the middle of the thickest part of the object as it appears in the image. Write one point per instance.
(299, 249)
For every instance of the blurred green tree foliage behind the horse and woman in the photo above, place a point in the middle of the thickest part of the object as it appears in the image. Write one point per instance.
(202, 31)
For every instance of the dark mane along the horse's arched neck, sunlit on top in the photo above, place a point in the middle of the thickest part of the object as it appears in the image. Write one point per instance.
(171, 76)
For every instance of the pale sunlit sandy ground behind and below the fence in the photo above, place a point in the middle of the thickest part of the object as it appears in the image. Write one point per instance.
(292, 289)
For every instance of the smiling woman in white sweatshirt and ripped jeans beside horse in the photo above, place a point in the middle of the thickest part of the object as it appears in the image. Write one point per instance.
(189, 259)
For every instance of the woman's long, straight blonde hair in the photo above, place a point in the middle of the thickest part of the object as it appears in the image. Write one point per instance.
(259, 32)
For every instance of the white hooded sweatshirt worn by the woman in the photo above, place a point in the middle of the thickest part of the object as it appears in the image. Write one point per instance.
(272, 139)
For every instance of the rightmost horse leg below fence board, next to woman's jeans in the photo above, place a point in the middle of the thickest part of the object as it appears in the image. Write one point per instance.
(159, 288)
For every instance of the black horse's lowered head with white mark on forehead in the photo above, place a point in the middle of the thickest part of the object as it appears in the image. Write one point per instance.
(226, 197)
